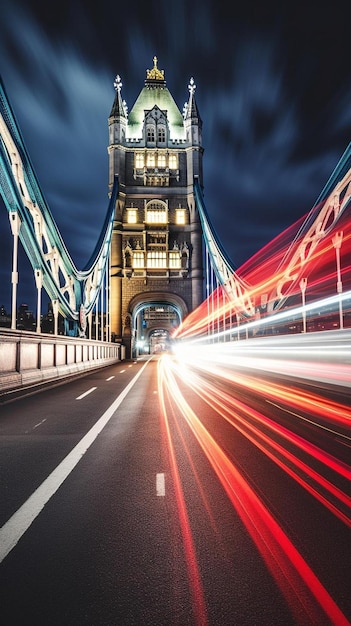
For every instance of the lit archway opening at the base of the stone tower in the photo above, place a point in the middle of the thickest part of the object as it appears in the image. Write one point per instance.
(153, 318)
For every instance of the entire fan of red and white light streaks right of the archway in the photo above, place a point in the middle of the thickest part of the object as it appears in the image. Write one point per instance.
(255, 370)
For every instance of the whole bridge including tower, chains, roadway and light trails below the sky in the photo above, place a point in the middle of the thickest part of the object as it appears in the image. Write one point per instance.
(191, 475)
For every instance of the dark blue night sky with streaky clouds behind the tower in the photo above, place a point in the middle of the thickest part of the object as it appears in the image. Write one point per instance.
(273, 90)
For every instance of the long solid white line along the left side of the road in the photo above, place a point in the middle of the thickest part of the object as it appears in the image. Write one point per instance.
(16, 526)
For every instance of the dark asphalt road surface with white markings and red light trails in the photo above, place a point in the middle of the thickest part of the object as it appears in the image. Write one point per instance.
(162, 506)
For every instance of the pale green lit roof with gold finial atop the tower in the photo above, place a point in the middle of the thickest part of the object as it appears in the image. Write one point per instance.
(155, 92)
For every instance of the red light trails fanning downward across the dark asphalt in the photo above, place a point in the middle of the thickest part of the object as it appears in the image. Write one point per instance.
(308, 599)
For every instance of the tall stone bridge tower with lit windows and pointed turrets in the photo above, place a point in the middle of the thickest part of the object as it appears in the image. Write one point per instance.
(156, 258)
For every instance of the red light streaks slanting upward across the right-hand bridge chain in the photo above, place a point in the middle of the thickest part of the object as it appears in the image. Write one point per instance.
(269, 278)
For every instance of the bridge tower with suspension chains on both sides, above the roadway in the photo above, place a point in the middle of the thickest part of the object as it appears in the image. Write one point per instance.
(158, 268)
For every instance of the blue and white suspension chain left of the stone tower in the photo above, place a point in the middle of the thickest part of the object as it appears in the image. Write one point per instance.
(74, 291)
